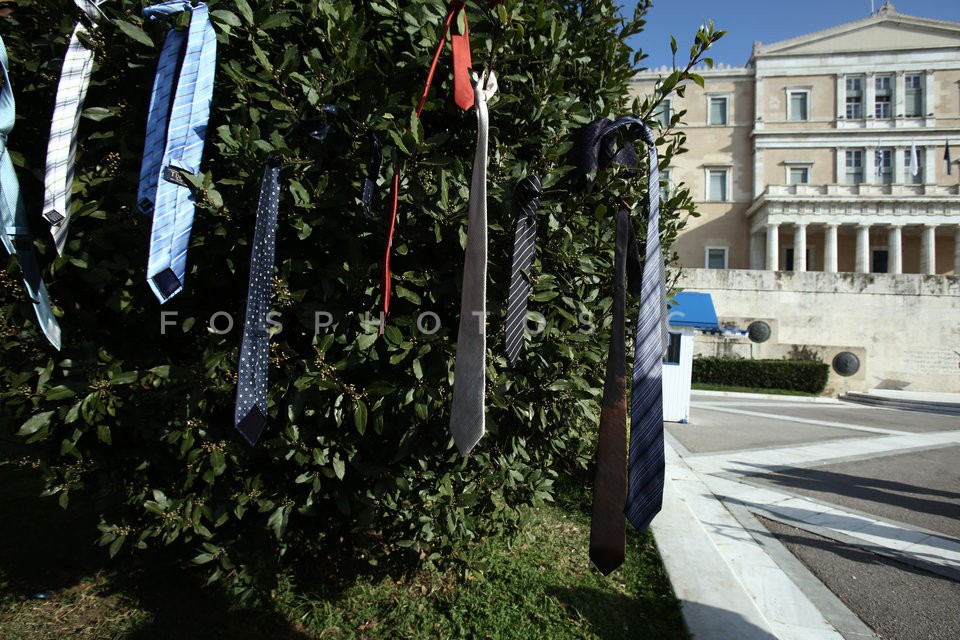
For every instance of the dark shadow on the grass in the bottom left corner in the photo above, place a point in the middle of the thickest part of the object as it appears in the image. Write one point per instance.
(45, 549)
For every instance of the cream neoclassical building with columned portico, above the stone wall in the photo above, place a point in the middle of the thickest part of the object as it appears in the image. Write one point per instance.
(837, 151)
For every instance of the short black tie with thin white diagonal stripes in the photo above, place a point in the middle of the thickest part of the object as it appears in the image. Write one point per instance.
(527, 197)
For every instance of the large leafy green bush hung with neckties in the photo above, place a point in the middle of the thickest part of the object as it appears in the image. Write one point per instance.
(136, 410)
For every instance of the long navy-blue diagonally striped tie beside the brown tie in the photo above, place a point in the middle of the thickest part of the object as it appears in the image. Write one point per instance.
(646, 466)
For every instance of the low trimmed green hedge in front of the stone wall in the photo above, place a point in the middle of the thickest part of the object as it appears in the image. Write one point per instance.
(794, 375)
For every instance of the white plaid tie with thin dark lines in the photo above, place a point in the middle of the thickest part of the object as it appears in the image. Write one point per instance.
(62, 145)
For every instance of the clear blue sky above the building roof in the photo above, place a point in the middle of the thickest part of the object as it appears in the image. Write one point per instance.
(764, 20)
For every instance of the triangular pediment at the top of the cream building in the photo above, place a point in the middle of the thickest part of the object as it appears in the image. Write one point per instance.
(883, 31)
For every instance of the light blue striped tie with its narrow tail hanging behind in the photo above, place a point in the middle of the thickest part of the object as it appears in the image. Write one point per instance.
(164, 190)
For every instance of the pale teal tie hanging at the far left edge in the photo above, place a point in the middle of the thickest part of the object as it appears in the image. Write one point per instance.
(13, 216)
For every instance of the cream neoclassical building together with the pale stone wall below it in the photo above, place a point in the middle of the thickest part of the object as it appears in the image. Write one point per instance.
(826, 173)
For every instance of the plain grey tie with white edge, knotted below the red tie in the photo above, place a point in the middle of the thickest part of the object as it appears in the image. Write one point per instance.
(469, 371)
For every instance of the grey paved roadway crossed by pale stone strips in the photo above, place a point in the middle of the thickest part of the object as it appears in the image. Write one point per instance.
(867, 499)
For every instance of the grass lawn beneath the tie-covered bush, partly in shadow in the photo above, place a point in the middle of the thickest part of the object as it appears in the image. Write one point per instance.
(539, 586)
